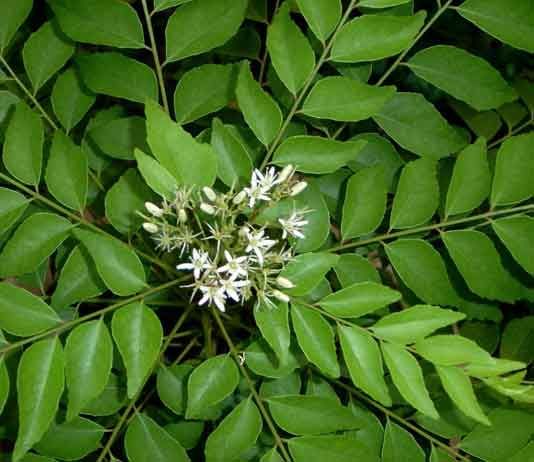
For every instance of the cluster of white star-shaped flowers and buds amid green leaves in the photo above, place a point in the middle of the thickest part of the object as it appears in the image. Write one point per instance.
(231, 250)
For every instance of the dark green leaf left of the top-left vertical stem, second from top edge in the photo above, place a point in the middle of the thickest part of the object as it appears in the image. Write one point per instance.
(114, 74)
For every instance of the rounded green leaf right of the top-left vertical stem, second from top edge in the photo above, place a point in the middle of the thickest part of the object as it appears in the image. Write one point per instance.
(203, 90)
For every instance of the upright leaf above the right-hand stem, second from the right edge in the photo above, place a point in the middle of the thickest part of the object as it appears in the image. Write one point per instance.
(471, 179)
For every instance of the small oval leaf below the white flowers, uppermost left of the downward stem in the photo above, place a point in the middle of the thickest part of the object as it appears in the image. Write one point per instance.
(211, 382)
